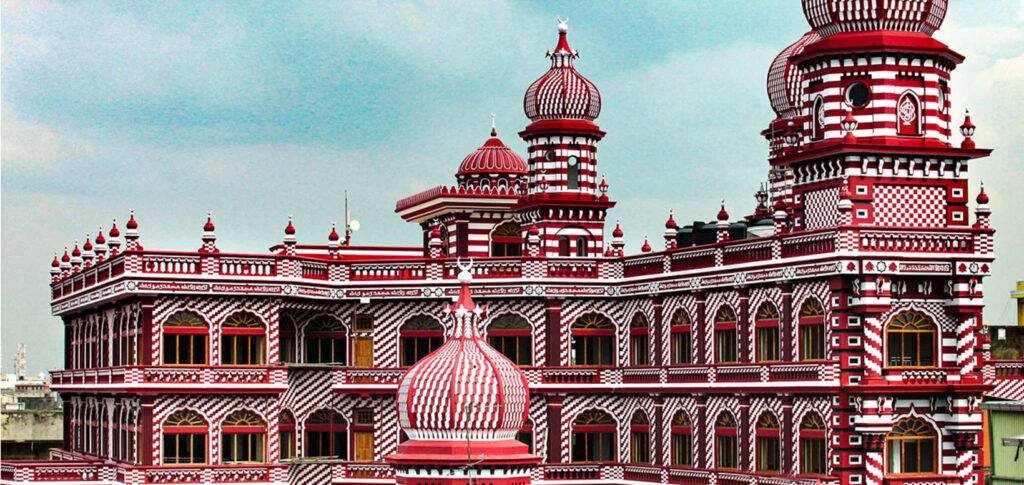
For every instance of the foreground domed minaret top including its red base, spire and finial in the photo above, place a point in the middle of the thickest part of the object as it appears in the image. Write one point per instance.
(461, 408)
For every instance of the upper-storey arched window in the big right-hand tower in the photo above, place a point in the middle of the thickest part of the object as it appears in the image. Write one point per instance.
(911, 339)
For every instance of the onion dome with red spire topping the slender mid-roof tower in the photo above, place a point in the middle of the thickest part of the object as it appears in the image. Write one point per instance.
(563, 93)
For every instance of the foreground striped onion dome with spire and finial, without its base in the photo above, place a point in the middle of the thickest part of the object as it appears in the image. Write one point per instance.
(464, 390)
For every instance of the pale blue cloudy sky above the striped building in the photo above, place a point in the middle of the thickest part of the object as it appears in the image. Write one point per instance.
(259, 111)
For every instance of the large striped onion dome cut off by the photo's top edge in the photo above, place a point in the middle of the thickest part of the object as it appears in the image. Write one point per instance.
(834, 17)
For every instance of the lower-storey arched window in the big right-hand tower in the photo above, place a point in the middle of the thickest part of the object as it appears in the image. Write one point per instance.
(912, 448)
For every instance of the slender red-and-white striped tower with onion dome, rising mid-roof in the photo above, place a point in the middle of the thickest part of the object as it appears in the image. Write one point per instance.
(565, 201)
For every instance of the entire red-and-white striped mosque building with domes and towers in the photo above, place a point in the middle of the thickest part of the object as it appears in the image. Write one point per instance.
(832, 336)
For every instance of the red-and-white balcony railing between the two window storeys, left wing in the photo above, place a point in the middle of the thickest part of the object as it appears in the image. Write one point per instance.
(172, 379)
